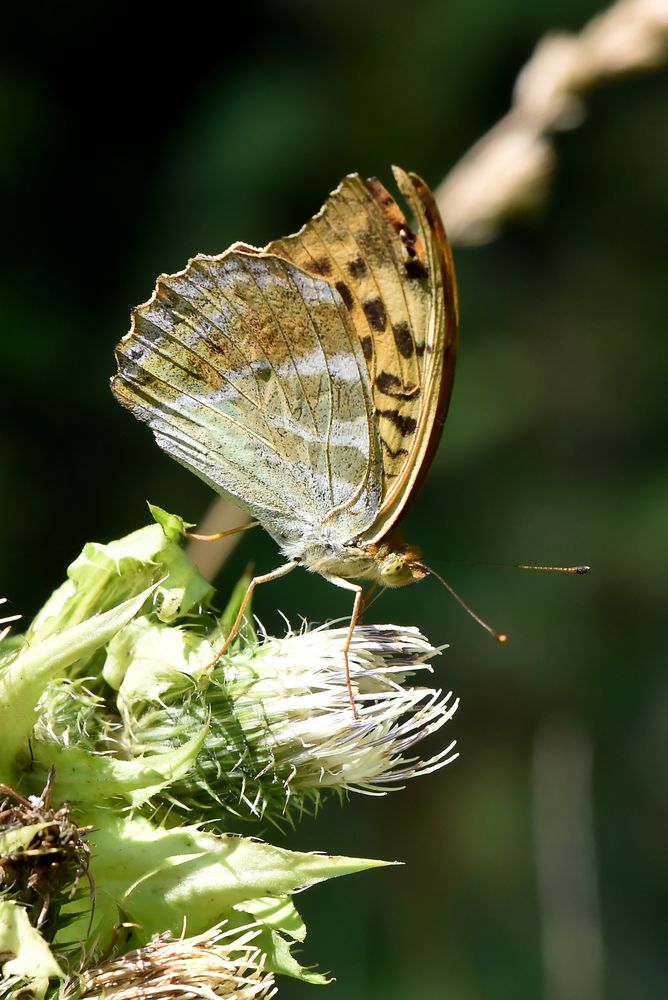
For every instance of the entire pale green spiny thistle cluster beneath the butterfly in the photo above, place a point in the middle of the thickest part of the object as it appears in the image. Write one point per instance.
(112, 693)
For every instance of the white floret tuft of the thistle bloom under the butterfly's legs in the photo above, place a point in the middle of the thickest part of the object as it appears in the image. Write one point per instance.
(297, 685)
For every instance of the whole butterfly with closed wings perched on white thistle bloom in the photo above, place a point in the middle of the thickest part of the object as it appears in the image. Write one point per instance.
(310, 379)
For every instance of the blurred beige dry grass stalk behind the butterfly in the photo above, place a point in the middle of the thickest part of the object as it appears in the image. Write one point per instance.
(507, 172)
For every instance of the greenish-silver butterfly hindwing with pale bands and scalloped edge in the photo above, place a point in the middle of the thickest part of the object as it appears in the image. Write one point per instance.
(250, 373)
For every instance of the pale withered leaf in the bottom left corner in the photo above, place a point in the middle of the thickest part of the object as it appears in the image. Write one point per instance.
(30, 958)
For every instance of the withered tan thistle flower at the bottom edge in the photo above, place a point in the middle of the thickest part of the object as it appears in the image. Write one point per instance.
(217, 963)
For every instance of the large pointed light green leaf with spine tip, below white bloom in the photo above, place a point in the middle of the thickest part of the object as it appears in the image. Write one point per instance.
(160, 878)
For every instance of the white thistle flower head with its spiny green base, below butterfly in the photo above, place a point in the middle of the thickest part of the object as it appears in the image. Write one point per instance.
(280, 727)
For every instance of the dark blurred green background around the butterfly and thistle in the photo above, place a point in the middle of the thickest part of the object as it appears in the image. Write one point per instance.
(536, 865)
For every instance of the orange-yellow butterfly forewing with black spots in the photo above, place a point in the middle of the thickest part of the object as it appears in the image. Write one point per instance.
(399, 288)
